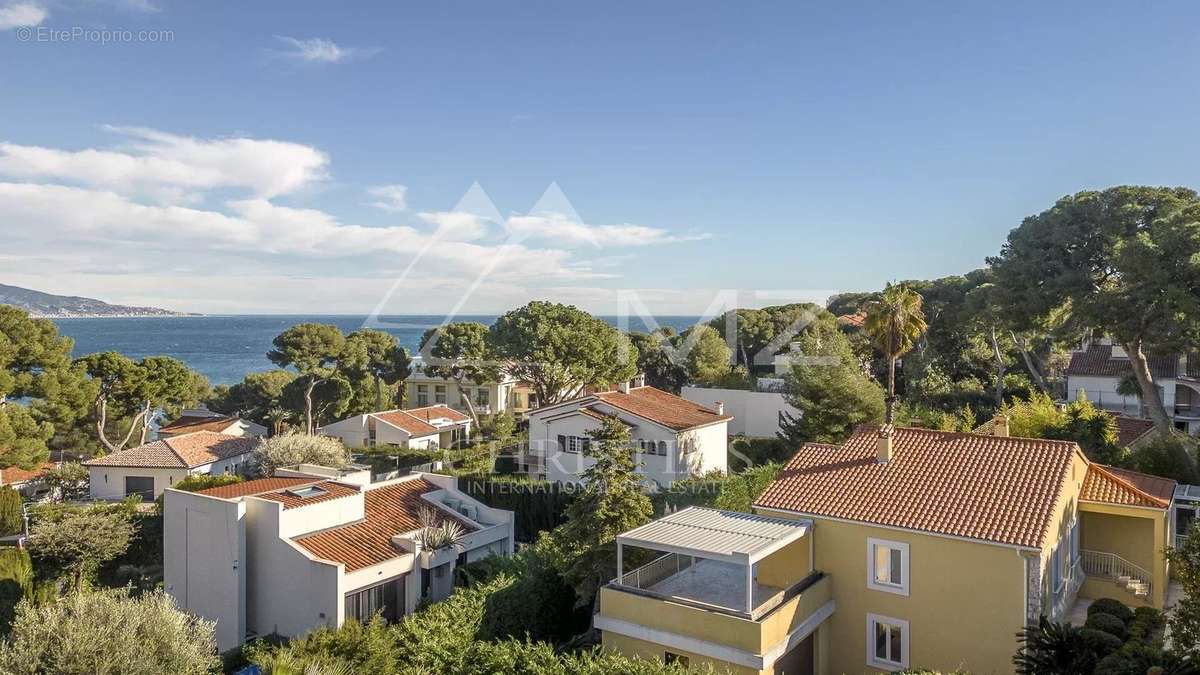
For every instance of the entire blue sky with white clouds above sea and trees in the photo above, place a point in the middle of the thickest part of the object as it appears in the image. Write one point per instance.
(673, 158)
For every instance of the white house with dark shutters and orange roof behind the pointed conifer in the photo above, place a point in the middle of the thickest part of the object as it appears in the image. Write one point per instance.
(674, 439)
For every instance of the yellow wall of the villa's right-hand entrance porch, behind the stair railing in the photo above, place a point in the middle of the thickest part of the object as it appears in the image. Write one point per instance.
(1138, 535)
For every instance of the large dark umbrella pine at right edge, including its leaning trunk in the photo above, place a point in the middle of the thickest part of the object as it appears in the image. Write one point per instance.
(1124, 261)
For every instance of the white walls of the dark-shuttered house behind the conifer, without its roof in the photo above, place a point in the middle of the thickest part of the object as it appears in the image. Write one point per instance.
(689, 453)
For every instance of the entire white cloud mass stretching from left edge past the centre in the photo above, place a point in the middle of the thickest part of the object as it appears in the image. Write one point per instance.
(161, 212)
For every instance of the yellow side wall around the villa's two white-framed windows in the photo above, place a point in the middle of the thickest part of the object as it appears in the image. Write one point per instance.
(965, 604)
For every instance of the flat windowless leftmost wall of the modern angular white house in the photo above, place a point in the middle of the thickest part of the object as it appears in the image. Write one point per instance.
(205, 557)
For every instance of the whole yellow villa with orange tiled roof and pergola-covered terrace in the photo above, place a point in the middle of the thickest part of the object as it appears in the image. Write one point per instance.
(902, 548)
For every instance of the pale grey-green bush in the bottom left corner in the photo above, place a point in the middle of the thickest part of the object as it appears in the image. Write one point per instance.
(109, 634)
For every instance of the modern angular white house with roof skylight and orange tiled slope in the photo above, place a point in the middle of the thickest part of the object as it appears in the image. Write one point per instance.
(315, 547)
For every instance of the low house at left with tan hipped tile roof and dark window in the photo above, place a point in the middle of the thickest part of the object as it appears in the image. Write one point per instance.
(152, 468)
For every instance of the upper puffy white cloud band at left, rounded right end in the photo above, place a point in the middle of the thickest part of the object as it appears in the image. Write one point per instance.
(171, 168)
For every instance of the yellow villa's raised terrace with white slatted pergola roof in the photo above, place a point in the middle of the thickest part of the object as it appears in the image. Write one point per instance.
(737, 588)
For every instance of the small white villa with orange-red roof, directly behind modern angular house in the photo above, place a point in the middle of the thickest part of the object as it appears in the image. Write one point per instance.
(427, 428)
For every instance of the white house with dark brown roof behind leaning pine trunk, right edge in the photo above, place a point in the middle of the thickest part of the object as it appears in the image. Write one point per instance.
(1099, 367)
